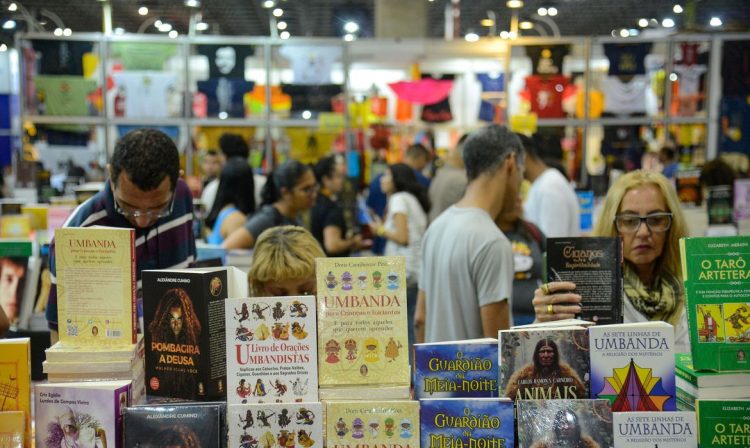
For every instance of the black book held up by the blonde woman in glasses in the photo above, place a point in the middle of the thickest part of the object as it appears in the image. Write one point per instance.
(594, 264)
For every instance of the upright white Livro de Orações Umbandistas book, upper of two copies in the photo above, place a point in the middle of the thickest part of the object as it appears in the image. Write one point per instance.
(272, 349)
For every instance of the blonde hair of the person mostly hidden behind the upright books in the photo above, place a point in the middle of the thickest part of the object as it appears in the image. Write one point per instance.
(283, 253)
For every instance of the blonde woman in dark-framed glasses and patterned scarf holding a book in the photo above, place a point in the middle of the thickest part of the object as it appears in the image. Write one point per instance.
(642, 208)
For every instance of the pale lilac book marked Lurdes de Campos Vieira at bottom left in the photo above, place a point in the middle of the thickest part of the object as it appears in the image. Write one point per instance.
(80, 414)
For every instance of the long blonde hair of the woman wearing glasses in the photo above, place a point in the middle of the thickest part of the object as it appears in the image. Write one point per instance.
(605, 225)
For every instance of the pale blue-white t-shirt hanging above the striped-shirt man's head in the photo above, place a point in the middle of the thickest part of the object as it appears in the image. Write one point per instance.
(146, 93)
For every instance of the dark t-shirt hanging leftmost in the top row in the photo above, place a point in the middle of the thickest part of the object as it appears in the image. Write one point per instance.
(59, 57)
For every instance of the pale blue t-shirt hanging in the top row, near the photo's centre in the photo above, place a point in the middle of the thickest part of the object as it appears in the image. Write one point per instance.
(311, 64)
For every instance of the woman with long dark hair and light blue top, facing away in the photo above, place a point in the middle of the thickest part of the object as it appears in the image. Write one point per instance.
(235, 200)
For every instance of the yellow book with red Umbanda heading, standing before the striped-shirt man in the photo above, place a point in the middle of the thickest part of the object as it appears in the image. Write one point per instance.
(100, 310)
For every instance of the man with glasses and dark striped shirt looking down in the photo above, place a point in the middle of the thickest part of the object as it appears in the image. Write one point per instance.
(143, 192)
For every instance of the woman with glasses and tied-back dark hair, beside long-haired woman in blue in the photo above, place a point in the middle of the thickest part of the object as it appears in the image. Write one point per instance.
(290, 190)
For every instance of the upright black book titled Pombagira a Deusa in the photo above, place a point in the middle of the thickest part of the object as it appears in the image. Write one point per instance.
(183, 312)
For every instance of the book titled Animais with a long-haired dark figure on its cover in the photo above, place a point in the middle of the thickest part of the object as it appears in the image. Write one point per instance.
(544, 364)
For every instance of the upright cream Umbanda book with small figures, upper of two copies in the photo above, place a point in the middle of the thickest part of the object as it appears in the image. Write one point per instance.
(362, 335)
